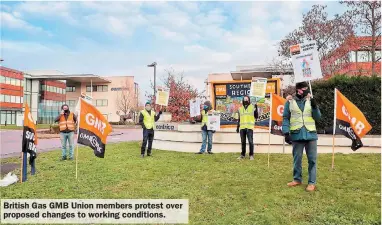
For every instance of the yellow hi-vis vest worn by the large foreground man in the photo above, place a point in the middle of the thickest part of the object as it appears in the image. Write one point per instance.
(298, 119)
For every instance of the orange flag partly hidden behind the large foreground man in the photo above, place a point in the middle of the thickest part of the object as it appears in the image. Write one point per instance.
(277, 104)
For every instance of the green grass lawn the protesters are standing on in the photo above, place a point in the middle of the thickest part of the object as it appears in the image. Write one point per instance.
(220, 189)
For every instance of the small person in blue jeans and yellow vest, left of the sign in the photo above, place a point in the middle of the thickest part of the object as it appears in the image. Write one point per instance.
(206, 134)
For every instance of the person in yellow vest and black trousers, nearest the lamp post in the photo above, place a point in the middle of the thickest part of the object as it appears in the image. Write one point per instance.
(147, 118)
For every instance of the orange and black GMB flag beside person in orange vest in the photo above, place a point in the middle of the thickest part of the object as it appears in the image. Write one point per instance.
(93, 128)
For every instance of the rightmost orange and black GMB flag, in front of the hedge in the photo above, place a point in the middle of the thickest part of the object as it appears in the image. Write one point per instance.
(350, 121)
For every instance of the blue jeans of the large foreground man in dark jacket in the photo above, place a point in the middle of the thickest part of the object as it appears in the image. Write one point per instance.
(311, 153)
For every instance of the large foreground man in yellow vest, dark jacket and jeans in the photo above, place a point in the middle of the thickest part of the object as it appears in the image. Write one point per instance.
(299, 127)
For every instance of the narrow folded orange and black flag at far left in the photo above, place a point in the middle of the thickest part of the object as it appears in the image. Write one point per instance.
(29, 141)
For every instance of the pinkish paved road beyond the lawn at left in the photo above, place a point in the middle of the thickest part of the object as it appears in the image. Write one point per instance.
(11, 141)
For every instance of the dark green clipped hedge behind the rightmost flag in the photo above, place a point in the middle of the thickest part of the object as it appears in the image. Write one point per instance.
(364, 92)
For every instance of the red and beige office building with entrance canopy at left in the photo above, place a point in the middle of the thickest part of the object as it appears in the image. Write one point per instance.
(46, 91)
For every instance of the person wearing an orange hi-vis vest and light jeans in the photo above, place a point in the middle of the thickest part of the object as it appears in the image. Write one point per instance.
(66, 122)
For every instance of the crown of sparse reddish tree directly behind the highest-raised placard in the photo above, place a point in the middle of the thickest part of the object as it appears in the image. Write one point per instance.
(329, 34)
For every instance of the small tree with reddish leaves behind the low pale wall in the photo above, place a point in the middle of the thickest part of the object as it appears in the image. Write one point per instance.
(181, 92)
